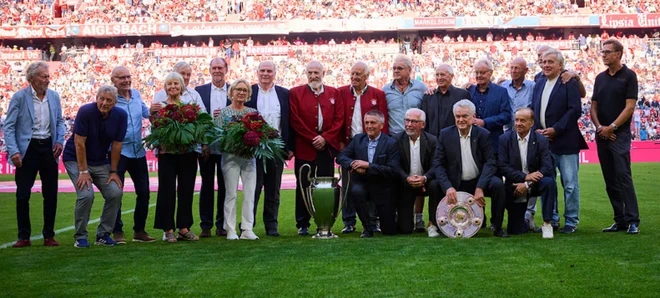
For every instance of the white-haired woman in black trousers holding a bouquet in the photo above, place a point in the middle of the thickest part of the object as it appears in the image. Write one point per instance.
(175, 167)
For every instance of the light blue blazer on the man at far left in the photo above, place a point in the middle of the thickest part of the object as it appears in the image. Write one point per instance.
(20, 120)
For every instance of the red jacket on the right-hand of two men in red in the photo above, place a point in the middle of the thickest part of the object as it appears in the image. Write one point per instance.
(372, 99)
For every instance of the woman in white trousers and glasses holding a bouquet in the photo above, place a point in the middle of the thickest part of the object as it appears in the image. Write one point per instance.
(234, 167)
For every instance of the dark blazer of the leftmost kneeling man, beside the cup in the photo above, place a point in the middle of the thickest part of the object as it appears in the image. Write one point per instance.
(385, 164)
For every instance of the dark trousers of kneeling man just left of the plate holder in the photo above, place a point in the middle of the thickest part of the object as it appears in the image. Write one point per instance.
(405, 205)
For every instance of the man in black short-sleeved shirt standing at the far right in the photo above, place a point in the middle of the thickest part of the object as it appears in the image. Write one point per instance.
(613, 103)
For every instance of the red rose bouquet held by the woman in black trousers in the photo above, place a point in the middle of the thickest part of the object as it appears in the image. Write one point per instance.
(180, 127)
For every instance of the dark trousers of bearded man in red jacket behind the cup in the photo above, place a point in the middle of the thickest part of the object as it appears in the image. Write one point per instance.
(323, 166)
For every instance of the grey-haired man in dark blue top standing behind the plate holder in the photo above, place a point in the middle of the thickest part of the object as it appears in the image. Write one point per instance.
(491, 101)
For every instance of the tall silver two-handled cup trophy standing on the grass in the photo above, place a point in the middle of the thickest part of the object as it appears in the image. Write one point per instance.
(323, 199)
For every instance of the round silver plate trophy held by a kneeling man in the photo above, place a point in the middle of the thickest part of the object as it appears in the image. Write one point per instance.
(461, 220)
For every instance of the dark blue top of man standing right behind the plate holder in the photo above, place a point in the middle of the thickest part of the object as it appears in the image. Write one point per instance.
(497, 111)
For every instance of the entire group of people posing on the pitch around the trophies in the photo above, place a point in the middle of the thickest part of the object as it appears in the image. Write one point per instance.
(399, 144)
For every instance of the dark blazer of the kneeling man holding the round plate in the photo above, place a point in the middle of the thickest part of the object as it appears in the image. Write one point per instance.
(449, 164)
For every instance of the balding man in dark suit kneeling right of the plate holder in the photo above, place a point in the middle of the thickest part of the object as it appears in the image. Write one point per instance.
(526, 162)
